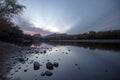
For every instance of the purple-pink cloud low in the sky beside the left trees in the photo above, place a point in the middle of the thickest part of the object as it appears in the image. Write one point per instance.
(28, 27)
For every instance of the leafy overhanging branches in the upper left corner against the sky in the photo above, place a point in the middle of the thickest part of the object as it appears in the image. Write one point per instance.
(8, 8)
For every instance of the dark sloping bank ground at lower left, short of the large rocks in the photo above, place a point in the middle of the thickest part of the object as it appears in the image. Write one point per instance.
(8, 52)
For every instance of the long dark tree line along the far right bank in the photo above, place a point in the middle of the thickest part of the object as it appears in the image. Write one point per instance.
(91, 35)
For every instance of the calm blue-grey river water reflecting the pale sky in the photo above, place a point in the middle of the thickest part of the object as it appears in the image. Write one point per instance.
(76, 62)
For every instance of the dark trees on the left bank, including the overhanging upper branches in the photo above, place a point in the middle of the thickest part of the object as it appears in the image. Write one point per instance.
(10, 32)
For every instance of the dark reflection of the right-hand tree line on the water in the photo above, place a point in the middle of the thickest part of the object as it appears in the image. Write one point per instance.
(92, 46)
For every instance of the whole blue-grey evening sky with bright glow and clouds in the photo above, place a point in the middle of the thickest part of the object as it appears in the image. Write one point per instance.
(68, 16)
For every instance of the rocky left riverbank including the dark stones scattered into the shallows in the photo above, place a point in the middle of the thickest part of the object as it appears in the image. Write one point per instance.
(13, 57)
